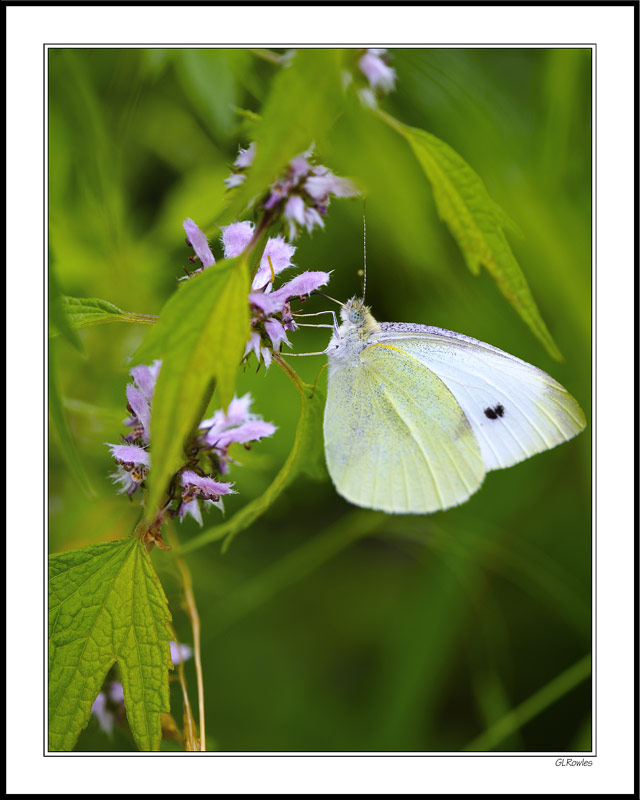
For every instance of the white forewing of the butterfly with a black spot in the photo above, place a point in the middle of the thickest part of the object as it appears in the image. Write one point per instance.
(514, 408)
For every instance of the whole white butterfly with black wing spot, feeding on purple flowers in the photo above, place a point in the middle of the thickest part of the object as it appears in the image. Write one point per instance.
(416, 415)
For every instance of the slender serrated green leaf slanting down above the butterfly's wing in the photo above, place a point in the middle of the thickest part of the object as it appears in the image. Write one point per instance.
(475, 221)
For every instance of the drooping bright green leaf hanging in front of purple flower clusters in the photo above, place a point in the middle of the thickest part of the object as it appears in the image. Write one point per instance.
(200, 336)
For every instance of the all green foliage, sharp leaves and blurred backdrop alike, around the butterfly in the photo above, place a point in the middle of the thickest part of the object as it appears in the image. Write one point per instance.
(329, 628)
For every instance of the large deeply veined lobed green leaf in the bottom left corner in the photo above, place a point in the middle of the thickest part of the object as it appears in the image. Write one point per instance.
(106, 604)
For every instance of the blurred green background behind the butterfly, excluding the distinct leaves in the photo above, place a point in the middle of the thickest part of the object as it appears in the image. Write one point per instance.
(326, 627)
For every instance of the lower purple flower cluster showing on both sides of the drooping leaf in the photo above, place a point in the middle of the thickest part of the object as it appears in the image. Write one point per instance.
(211, 446)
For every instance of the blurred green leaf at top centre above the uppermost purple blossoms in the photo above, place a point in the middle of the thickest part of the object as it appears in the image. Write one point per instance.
(304, 101)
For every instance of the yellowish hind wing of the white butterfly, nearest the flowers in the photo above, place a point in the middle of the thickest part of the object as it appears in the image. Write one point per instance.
(395, 437)
